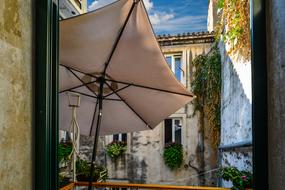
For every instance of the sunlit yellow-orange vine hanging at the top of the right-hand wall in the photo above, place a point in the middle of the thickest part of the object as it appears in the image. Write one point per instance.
(234, 25)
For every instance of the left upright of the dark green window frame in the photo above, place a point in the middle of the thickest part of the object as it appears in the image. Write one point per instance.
(45, 116)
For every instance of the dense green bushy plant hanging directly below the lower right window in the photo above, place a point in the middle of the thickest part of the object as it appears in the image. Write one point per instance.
(173, 155)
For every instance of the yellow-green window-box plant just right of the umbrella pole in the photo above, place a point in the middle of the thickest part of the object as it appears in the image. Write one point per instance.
(116, 148)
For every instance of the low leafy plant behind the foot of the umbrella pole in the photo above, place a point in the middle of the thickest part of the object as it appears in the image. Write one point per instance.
(100, 173)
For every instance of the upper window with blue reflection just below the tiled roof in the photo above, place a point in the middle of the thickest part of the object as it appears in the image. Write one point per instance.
(174, 62)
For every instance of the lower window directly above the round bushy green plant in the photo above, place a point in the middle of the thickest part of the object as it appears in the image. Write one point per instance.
(172, 130)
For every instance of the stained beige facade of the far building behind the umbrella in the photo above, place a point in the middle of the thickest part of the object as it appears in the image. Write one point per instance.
(143, 162)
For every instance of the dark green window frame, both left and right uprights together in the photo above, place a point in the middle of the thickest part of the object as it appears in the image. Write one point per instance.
(46, 102)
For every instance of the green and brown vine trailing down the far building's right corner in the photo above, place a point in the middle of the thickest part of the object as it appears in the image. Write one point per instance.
(206, 85)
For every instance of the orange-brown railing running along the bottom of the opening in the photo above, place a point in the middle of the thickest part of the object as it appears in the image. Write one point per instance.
(120, 186)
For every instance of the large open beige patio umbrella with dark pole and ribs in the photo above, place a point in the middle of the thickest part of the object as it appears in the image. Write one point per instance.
(112, 59)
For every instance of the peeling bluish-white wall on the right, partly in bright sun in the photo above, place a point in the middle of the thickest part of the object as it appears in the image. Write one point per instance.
(236, 122)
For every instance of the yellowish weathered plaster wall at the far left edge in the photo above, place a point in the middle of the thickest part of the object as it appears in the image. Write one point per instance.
(15, 95)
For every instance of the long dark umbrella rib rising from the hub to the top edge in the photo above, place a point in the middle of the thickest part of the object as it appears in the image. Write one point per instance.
(118, 38)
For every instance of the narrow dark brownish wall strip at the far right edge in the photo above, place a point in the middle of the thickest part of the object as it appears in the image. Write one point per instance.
(276, 92)
